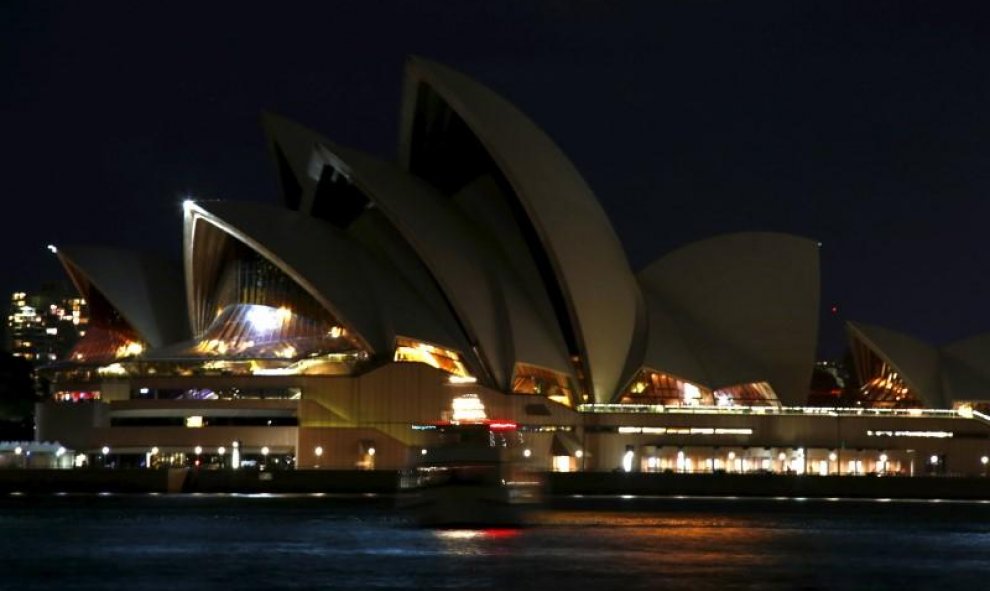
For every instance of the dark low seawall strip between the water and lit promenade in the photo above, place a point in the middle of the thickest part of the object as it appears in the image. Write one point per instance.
(559, 485)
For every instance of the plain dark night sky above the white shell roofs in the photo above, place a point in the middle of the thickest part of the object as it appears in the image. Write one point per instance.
(865, 125)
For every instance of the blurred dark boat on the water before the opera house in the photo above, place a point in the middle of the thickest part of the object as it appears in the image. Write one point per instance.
(475, 473)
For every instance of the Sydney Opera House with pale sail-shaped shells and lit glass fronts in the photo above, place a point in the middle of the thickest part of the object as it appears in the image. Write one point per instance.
(334, 330)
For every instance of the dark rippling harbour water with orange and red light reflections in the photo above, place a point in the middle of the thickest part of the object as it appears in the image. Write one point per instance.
(308, 542)
